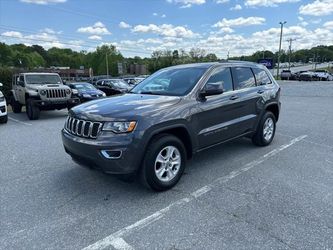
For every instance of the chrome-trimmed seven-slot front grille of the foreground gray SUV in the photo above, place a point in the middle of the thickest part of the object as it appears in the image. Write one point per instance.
(83, 128)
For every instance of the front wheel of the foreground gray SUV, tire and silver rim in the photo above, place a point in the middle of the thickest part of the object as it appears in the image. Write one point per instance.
(170, 172)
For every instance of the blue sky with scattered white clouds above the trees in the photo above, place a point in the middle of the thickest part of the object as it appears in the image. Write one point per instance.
(138, 27)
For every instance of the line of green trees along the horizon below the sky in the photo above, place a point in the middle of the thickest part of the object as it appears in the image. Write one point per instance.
(35, 56)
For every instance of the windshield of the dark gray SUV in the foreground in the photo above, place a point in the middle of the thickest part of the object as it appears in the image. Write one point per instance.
(174, 82)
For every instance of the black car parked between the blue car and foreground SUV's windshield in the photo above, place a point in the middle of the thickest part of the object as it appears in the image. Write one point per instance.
(112, 86)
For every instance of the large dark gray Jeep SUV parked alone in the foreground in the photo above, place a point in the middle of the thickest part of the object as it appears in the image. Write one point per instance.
(174, 113)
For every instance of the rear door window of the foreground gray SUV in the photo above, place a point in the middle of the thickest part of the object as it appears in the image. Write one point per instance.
(243, 78)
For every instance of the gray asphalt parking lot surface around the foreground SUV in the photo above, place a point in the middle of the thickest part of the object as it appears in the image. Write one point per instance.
(233, 196)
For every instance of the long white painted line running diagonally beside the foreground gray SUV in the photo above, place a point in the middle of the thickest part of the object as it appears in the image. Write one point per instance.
(116, 239)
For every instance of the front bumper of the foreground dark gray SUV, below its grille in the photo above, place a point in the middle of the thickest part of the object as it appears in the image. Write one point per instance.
(89, 152)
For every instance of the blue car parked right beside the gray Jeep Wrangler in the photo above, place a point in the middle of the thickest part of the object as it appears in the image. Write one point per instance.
(85, 91)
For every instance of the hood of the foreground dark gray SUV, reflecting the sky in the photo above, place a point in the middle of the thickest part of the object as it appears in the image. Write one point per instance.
(124, 107)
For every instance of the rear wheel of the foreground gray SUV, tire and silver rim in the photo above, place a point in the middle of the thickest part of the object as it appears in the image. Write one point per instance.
(264, 136)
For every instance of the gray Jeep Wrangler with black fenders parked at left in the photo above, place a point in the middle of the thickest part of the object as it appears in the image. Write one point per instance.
(40, 91)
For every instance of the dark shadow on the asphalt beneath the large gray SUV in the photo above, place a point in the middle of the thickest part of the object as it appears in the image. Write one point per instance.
(210, 161)
